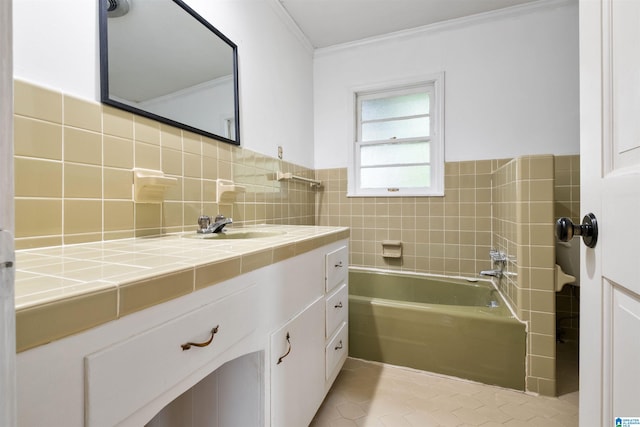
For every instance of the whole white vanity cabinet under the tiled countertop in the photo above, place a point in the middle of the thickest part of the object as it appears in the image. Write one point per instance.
(133, 370)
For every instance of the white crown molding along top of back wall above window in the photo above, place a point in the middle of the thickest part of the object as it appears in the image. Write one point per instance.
(447, 25)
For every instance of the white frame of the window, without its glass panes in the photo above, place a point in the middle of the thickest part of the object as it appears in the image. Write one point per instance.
(435, 86)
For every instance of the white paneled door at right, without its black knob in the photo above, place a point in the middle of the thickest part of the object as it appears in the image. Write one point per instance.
(610, 182)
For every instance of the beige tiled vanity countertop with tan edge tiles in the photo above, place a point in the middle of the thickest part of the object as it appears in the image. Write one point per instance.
(64, 290)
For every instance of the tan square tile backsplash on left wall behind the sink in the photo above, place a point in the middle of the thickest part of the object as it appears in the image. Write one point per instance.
(73, 174)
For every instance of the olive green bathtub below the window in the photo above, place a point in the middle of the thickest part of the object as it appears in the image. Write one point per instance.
(448, 326)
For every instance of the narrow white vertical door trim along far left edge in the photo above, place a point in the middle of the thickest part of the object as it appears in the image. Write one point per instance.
(7, 303)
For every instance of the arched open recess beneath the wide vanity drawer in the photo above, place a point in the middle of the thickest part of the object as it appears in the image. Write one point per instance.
(230, 396)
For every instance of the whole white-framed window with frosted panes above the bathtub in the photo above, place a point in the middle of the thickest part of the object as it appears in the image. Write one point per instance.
(399, 148)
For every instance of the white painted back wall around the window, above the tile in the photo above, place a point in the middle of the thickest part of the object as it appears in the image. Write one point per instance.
(511, 83)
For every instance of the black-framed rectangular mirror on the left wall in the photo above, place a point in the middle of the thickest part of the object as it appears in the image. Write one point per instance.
(160, 59)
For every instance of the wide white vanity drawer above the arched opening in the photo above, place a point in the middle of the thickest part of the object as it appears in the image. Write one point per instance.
(126, 376)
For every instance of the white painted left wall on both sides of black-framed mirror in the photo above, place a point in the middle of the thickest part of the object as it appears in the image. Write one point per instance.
(56, 46)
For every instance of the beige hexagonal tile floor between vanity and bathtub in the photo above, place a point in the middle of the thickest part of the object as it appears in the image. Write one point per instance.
(376, 395)
